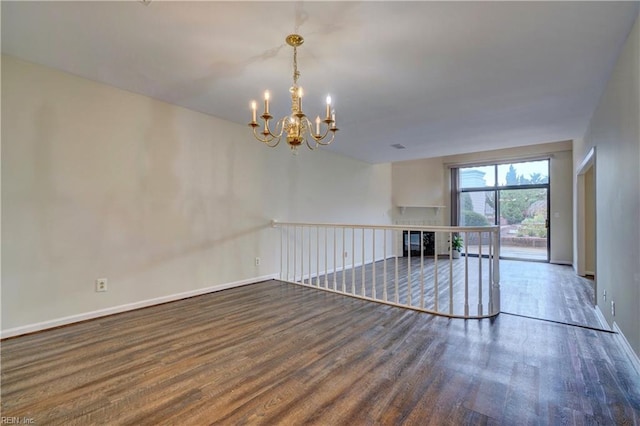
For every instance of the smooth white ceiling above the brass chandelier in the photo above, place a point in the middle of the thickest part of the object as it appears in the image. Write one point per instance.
(440, 78)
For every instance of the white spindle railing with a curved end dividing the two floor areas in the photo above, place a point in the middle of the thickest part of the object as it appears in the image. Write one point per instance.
(402, 265)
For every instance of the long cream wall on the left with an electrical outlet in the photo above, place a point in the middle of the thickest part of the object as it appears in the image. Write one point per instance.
(99, 182)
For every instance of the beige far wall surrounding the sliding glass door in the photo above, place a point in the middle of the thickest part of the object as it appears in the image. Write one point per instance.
(412, 179)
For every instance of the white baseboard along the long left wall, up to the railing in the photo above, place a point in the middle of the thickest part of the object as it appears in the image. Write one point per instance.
(31, 328)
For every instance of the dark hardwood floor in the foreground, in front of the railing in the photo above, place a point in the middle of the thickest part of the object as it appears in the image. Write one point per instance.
(278, 353)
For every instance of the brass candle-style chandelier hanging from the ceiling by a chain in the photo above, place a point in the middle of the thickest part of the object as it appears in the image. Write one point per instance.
(297, 128)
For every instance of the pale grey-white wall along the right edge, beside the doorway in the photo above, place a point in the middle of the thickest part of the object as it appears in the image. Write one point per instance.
(615, 134)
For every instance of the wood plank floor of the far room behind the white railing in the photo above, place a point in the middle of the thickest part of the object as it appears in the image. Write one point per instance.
(539, 290)
